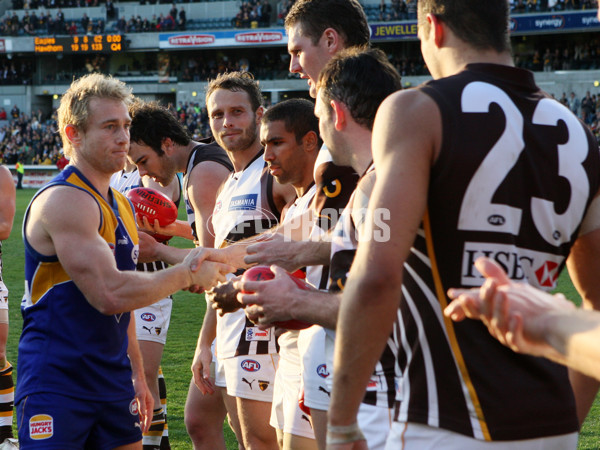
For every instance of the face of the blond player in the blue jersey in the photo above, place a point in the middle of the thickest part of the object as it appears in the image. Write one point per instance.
(105, 141)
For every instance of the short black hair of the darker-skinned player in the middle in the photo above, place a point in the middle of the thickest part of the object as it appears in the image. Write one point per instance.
(298, 116)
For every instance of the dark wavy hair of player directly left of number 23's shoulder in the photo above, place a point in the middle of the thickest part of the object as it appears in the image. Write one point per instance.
(361, 80)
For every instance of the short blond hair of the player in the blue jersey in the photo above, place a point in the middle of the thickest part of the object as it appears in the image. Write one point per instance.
(74, 104)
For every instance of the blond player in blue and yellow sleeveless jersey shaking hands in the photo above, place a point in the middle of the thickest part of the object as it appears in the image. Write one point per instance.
(78, 353)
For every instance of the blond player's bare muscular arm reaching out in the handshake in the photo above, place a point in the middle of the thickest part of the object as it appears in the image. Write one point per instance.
(89, 262)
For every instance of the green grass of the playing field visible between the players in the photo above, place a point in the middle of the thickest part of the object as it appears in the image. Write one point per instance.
(188, 311)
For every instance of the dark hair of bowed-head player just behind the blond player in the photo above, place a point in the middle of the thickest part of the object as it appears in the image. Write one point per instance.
(151, 123)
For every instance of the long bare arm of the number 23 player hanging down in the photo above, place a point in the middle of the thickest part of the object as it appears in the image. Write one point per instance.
(405, 141)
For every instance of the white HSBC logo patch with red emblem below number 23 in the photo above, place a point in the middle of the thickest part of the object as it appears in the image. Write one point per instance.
(537, 268)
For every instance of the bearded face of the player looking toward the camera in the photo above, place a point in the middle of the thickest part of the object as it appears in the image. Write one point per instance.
(234, 125)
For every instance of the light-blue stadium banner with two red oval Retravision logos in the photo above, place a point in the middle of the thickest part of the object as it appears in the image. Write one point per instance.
(224, 38)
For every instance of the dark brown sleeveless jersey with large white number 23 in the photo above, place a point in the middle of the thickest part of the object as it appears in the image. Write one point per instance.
(513, 180)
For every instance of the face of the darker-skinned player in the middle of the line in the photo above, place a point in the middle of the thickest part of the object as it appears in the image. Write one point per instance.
(285, 157)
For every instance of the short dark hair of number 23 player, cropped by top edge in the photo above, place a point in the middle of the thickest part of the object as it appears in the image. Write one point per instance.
(482, 24)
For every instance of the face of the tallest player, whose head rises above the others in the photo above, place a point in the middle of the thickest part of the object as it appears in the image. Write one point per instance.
(306, 58)
